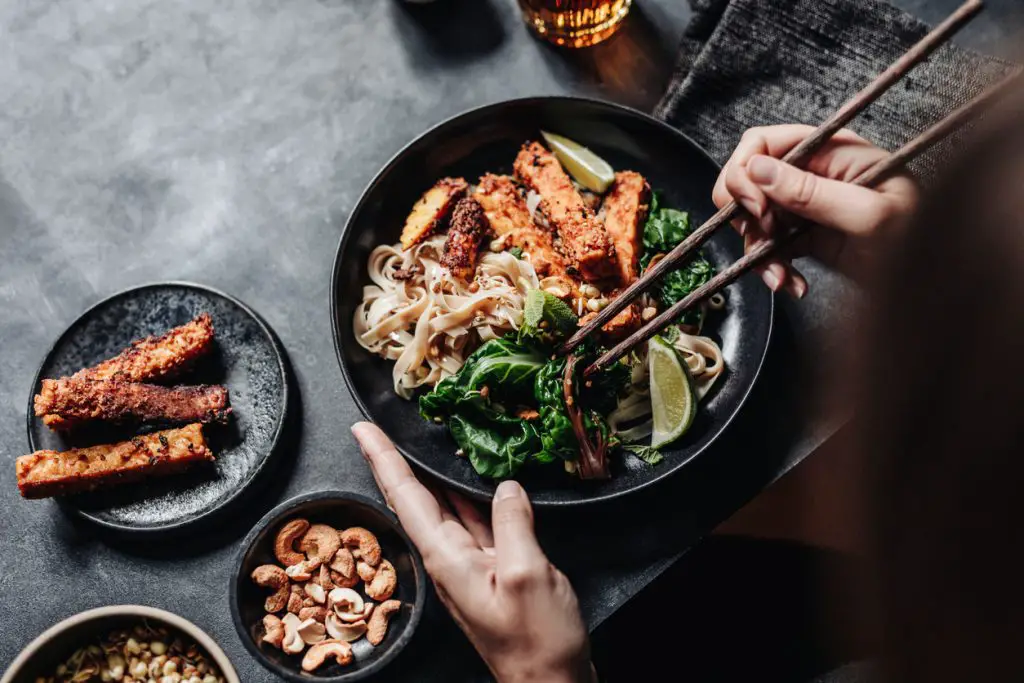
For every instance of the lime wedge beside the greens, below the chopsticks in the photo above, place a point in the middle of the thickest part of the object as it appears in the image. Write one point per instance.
(673, 401)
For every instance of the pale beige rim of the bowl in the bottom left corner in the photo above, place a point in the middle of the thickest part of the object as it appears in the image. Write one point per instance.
(146, 612)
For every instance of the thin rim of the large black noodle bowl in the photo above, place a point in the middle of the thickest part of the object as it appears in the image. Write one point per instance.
(347, 234)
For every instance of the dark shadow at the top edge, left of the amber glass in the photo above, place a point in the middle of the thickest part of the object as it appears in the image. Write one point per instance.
(448, 33)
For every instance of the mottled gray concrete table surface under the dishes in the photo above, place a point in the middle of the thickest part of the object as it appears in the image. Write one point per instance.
(225, 143)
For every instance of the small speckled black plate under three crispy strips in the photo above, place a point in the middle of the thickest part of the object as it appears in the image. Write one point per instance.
(247, 359)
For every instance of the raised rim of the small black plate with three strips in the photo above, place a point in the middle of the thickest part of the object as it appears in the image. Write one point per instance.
(279, 428)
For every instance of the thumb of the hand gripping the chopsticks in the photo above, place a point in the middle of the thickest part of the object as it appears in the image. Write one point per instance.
(841, 206)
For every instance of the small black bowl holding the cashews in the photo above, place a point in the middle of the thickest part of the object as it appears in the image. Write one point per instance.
(342, 510)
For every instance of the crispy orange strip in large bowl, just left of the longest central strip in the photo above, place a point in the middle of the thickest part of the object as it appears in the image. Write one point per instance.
(508, 216)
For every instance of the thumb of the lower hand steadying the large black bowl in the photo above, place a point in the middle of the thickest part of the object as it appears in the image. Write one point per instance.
(521, 560)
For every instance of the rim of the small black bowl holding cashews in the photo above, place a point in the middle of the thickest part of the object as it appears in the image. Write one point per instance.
(275, 517)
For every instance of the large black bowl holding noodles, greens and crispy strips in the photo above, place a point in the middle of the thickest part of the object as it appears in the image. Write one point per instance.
(488, 140)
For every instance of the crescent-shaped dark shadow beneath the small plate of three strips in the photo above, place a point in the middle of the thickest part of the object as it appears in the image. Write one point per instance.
(228, 526)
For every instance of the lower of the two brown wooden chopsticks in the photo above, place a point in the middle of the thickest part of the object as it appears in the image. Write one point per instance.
(769, 248)
